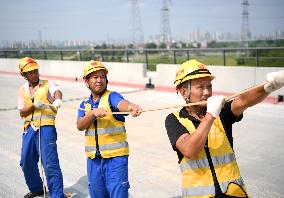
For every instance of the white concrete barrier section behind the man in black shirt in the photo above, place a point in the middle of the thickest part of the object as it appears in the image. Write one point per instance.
(228, 79)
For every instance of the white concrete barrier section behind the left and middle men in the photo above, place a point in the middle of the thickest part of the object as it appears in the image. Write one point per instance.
(134, 73)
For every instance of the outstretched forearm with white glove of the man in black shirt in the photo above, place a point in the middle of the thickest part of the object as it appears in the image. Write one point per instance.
(275, 80)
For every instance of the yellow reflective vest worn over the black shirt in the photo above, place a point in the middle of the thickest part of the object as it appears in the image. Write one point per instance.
(197, 180)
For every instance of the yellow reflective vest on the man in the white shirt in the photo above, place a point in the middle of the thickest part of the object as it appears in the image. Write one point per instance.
(39, 117)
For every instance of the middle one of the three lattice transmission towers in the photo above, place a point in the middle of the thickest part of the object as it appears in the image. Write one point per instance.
(165, 34)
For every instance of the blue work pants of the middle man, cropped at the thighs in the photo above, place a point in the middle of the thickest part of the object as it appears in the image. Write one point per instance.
(108, 177)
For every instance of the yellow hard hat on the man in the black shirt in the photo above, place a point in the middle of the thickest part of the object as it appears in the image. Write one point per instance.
(191, 69)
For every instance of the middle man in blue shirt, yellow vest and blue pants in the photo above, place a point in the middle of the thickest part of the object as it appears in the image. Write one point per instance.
(106, 143)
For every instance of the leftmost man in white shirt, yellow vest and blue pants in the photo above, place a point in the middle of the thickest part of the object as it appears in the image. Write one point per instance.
(38, 101)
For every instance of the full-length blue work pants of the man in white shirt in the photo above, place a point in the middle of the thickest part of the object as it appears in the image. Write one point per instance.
(30, 158)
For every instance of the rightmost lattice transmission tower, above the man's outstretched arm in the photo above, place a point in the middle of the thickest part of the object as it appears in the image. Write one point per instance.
(245, 34)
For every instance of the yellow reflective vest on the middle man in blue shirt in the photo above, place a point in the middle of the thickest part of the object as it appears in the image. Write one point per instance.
(112, 137)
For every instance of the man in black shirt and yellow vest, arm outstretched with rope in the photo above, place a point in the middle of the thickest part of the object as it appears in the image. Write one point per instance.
(202, 136)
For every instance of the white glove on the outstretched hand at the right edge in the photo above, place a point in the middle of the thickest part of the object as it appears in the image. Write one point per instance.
(275, 81)
